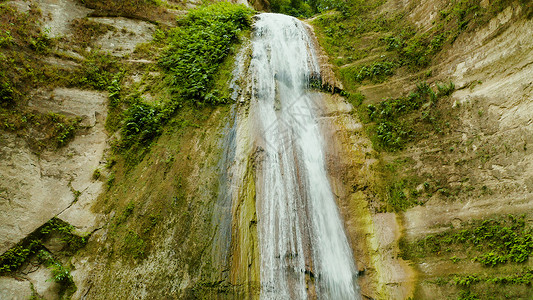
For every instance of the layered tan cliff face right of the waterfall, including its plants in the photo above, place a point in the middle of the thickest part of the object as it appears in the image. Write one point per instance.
(465, 175)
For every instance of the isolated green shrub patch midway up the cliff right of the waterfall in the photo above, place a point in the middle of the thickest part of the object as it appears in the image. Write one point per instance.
(392, 122)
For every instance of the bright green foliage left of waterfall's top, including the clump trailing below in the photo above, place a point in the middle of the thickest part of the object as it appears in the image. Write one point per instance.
(196, 50)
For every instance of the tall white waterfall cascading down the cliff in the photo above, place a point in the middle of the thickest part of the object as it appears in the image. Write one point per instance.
(303, 248)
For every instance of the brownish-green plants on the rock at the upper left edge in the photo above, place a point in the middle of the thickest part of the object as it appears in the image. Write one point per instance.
(22, 45)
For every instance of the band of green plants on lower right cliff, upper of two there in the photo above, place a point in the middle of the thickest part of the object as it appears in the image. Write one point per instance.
(490, 242)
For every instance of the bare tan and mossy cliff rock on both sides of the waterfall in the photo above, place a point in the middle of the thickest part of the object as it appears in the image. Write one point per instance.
(162, 228)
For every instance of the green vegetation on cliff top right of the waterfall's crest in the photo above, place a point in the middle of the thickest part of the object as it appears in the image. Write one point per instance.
(357, 31)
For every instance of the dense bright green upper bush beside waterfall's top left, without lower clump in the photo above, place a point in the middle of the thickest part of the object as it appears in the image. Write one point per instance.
(198, 47)
